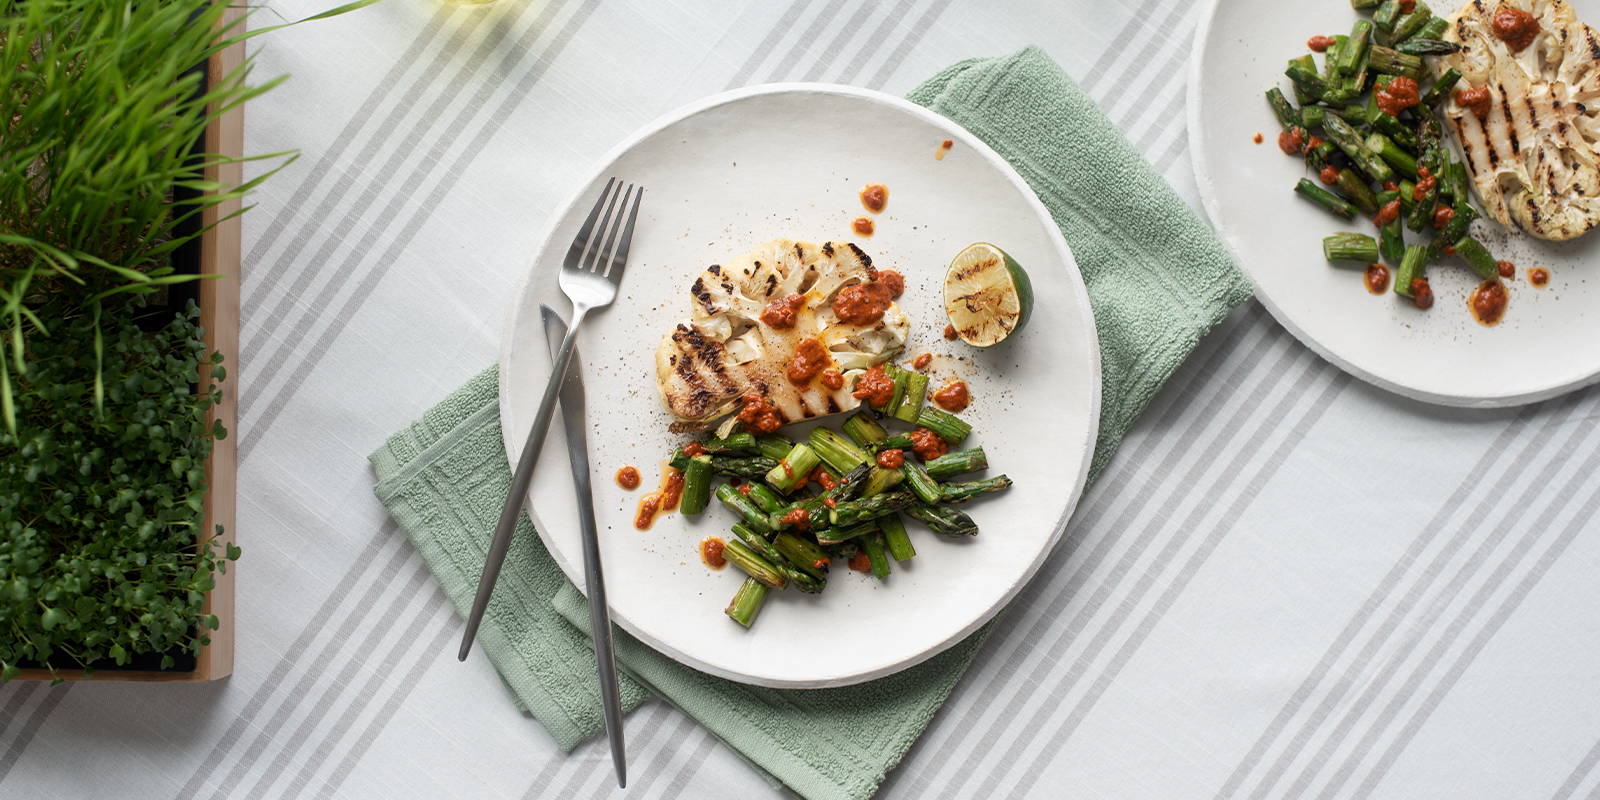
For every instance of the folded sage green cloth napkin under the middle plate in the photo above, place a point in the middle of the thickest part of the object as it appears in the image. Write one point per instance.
(1158, 279)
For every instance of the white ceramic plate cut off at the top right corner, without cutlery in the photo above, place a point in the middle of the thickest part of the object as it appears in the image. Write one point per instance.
(1442, 356)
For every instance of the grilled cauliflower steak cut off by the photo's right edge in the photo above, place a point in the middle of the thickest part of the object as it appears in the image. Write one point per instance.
(1535, 156)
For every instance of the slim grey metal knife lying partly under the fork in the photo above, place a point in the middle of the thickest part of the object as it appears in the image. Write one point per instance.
(575, 425)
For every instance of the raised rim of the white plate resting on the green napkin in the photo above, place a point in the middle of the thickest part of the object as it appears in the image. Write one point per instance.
(522, 295)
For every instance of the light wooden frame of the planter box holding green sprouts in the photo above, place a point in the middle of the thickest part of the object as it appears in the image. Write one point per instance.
(218, 300)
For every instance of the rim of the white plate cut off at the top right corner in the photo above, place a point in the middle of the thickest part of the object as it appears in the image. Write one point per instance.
(1206, 183)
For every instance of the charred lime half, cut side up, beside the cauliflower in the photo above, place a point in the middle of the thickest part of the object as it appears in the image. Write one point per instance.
(986, 295)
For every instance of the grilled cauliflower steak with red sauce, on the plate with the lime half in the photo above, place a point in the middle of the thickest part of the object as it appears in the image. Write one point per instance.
(727, 351)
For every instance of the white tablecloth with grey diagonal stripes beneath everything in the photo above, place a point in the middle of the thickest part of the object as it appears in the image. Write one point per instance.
(1287, 585)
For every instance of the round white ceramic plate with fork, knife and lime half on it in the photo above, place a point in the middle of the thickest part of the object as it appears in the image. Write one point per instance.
(788, 161)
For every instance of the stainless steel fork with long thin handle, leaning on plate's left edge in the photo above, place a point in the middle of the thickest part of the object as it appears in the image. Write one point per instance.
(591, 274)
